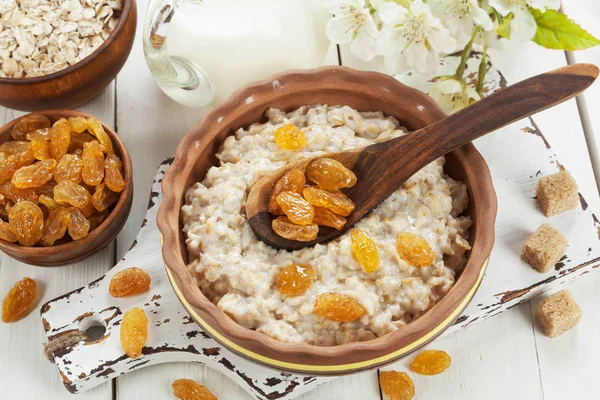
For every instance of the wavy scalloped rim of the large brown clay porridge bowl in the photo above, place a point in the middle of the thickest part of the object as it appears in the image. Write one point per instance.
(187, 290)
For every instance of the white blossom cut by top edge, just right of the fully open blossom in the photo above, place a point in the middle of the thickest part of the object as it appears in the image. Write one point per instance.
(460, 16)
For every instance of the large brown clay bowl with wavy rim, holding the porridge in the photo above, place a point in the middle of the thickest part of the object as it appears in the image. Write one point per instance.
(365, 91)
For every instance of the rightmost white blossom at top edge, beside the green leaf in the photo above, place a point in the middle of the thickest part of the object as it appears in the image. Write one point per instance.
(523, 24)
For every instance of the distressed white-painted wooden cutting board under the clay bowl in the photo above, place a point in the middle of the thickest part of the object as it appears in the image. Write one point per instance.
(517, 156)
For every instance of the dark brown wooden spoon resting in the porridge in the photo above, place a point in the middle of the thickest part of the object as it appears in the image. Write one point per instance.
(381, 168)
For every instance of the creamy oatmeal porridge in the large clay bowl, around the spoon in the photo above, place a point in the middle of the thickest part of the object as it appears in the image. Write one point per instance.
(239, 273)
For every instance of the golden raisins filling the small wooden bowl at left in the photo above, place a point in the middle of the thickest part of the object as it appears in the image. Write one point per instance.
(58, 181)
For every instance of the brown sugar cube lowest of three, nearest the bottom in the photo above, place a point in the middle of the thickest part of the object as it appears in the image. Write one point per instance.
(558, 313)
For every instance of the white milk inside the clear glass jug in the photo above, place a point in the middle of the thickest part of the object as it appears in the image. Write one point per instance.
(234, 42)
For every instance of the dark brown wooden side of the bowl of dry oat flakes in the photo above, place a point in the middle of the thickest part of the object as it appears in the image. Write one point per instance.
(79, 83)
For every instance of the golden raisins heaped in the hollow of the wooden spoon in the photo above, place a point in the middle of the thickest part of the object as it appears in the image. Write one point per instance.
(301, 209)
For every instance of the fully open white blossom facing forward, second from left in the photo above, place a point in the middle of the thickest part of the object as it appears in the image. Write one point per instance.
(412, 38)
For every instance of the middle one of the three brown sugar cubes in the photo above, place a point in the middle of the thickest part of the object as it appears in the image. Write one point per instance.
(544, 247)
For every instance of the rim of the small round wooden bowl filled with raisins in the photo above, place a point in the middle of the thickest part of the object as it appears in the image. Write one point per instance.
(112, 218)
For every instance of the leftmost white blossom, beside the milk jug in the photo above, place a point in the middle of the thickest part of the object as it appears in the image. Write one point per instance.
(352, 23)
